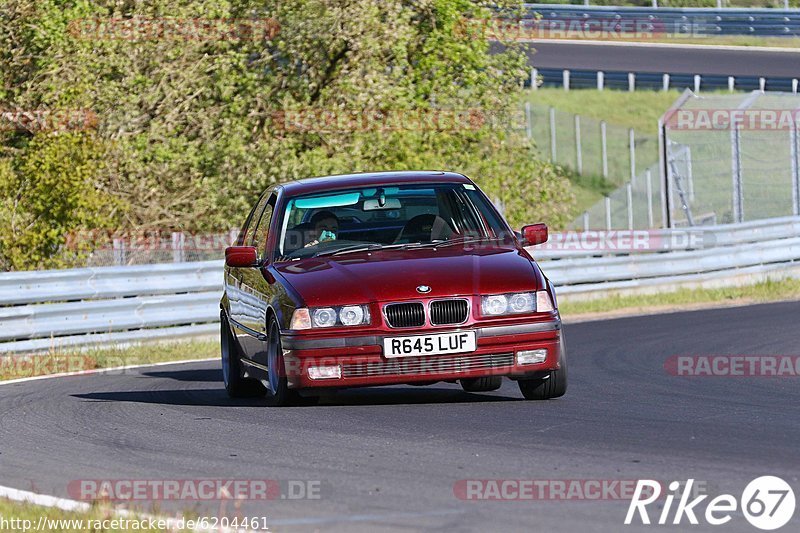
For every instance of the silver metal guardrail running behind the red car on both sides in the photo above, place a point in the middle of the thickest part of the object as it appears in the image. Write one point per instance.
(45, 310)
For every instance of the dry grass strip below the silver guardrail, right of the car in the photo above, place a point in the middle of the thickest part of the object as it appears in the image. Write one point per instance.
(683, 299)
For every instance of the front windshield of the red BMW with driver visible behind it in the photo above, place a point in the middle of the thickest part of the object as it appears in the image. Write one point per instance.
(398, 216)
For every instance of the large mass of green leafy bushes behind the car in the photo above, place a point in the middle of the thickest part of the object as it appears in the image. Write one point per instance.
(186, 136)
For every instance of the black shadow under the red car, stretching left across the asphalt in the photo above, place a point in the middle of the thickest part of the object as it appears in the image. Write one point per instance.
(217, 397)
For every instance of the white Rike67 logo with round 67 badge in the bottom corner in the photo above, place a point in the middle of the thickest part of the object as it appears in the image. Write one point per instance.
(767, 502)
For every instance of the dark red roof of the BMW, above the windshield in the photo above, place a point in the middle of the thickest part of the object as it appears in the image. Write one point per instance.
(367, 179)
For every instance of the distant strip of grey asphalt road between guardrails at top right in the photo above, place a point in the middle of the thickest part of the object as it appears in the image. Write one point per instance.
(704, 61)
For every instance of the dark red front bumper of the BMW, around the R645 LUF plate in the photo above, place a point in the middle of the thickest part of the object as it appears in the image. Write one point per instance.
(362, 362)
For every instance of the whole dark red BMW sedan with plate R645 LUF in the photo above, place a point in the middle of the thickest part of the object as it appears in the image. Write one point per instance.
(386, 278)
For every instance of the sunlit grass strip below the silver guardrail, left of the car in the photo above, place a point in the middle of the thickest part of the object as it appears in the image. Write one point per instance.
(13, 366)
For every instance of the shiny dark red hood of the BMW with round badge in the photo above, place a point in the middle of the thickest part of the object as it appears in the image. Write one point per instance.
(395, 274)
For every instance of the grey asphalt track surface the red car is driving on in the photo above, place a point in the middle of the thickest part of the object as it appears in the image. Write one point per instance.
(388, 458)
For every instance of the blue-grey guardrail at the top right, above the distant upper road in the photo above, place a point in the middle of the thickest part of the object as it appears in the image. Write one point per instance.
(689, 21)
